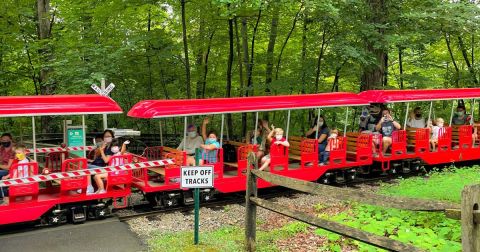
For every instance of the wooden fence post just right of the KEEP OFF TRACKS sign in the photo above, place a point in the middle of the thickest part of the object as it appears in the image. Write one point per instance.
(251, 208)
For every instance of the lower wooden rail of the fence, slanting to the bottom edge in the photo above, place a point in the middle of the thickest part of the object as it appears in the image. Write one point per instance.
(359, 235)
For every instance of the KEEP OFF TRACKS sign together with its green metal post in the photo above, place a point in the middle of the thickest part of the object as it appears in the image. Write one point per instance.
(197, 177)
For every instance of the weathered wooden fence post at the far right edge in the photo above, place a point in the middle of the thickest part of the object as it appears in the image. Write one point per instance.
(471, 218)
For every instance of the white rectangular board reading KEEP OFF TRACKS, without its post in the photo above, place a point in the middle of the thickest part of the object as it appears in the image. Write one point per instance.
(196, 176)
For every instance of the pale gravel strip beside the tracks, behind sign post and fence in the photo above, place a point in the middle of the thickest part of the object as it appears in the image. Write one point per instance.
(214, 218)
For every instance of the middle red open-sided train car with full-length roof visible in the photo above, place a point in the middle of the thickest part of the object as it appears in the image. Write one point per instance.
(300, 160)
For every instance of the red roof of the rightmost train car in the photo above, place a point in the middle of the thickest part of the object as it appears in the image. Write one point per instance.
(391, 96)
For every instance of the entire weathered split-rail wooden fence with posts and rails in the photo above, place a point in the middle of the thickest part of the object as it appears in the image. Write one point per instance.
(468, 211)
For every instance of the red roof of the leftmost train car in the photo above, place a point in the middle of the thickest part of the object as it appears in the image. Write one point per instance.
(43, 105)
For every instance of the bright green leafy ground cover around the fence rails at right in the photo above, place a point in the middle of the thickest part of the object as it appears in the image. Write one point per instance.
(427, 230)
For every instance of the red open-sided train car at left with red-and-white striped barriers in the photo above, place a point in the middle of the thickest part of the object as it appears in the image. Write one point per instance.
(60, 200)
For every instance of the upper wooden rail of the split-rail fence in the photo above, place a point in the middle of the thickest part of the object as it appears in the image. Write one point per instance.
(355, 195)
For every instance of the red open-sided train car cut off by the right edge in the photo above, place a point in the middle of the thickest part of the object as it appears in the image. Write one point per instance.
(456, 143)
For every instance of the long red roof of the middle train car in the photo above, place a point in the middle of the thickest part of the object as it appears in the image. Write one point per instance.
(189, 107)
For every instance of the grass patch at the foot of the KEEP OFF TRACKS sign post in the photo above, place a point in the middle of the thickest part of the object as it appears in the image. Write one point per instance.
(224, 239)
